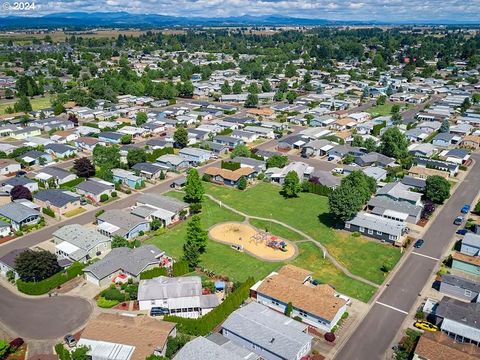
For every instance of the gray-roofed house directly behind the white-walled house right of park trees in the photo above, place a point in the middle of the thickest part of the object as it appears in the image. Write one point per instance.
(398, 210)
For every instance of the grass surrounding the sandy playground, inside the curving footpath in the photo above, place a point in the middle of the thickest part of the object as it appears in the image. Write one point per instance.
(222, 259)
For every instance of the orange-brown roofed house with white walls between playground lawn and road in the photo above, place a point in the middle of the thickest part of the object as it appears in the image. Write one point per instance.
(318, 305)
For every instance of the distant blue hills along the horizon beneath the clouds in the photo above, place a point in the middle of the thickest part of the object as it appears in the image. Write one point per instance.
(125, 19)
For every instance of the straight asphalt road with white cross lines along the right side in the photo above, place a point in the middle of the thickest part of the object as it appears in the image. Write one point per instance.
(372, 338)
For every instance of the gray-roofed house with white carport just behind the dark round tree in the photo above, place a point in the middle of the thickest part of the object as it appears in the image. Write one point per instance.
(77, 243)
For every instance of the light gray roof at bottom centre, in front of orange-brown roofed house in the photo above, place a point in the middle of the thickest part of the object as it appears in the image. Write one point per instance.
(268, 329)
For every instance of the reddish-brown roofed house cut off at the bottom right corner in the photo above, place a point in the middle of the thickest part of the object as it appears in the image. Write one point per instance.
(439, 346)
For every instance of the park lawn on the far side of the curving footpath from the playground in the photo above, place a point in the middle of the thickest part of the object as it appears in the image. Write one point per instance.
(309, 213)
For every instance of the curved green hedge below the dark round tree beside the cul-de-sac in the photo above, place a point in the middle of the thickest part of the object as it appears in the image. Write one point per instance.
(44, 286)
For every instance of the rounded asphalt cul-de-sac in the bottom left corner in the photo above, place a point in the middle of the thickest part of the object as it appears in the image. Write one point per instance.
(43, 317)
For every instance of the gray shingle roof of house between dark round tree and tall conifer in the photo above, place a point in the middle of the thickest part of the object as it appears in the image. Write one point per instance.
(133, 261)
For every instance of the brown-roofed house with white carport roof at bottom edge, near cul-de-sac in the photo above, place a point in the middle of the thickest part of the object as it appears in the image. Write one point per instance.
(129, 338)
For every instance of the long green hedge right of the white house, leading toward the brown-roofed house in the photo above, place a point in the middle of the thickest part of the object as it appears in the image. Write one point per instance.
(206, 324)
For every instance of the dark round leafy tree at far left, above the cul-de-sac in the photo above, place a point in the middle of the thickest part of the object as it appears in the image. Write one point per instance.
(36, 265)
